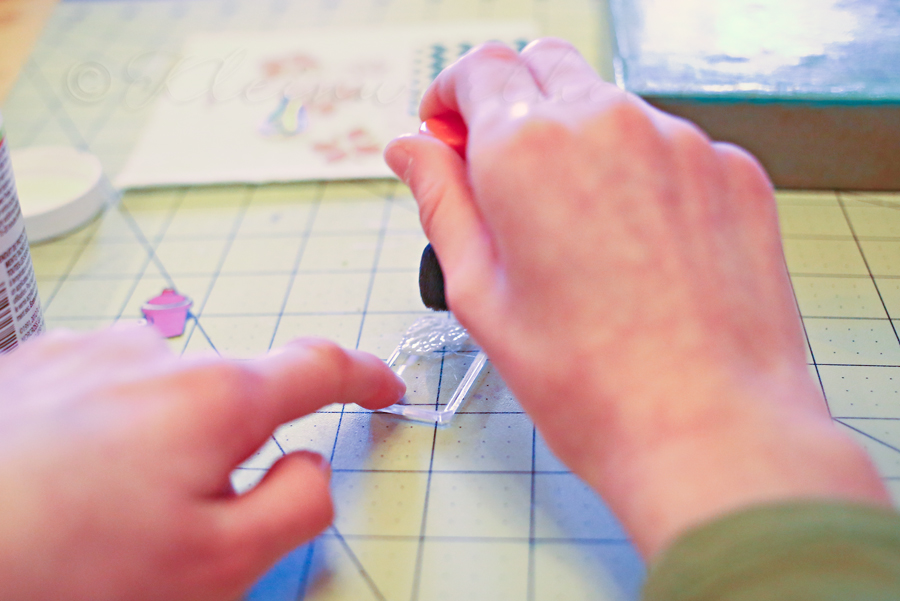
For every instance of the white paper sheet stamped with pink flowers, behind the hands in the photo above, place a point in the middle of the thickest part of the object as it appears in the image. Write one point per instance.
(217, 119)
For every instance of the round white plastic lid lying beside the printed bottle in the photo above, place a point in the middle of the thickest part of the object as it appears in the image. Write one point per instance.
(60, 189)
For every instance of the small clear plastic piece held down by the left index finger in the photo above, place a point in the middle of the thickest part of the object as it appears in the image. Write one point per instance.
(440, 364)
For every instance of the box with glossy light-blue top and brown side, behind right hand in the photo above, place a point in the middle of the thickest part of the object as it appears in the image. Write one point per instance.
(812, 87)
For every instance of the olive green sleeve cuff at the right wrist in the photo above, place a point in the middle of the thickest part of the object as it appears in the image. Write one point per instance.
(793, 552)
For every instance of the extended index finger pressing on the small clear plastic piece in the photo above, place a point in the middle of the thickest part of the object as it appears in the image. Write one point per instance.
(223, 410)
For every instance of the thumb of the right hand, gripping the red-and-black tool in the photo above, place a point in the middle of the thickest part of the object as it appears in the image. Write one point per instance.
(438, 178)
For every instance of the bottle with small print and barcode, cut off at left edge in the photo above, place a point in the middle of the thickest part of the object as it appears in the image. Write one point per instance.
(20, 307)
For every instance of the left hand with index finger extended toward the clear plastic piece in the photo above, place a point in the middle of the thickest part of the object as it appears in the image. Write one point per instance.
(115, 458)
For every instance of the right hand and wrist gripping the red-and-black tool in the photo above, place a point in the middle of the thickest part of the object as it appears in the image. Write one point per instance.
(625, 275)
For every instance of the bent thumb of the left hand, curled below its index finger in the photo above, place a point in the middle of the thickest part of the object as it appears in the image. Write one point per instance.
(290, 506)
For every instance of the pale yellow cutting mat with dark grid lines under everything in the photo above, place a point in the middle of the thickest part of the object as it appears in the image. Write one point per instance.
(476, 510)
